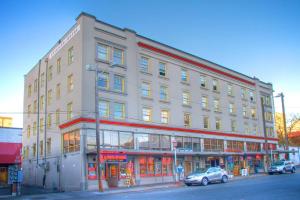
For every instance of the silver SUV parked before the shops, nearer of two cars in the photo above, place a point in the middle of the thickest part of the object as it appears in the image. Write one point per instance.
(212, 174)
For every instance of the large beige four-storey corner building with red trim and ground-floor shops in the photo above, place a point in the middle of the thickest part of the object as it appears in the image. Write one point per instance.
(150, 95)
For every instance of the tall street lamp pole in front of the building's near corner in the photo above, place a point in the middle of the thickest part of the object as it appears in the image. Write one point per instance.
(96, 70)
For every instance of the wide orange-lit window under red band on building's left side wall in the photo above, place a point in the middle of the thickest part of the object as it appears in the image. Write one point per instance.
(71, 141)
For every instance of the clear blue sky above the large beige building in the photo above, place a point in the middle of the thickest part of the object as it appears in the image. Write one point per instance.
(256, 37)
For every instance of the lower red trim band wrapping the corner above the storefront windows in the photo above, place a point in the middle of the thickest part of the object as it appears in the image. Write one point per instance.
(167, 128)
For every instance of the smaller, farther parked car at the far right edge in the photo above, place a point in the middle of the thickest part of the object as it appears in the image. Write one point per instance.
(282, 167)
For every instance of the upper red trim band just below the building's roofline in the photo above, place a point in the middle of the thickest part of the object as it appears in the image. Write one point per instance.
(203, 66)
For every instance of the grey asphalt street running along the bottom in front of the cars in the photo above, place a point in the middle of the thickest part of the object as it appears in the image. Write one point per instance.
(272, 187)
